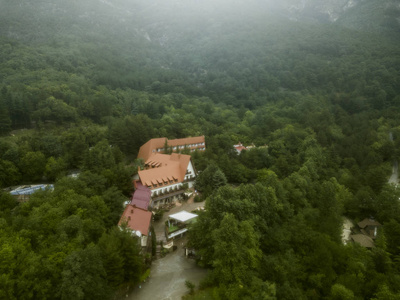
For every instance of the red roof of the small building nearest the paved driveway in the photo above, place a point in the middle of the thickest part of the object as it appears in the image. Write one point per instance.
(137, 219)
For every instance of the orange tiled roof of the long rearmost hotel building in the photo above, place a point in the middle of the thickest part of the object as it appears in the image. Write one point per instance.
(152, 145)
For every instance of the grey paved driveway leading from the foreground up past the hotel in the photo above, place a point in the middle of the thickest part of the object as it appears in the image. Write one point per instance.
(168, 274)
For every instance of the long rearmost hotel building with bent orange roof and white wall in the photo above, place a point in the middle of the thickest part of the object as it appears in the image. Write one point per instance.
(178, 145)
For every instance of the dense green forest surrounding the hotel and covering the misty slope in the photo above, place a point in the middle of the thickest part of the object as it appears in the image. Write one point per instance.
(83, 84)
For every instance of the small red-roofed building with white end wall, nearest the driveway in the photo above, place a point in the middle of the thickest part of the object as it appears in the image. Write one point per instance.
(137, 220)
